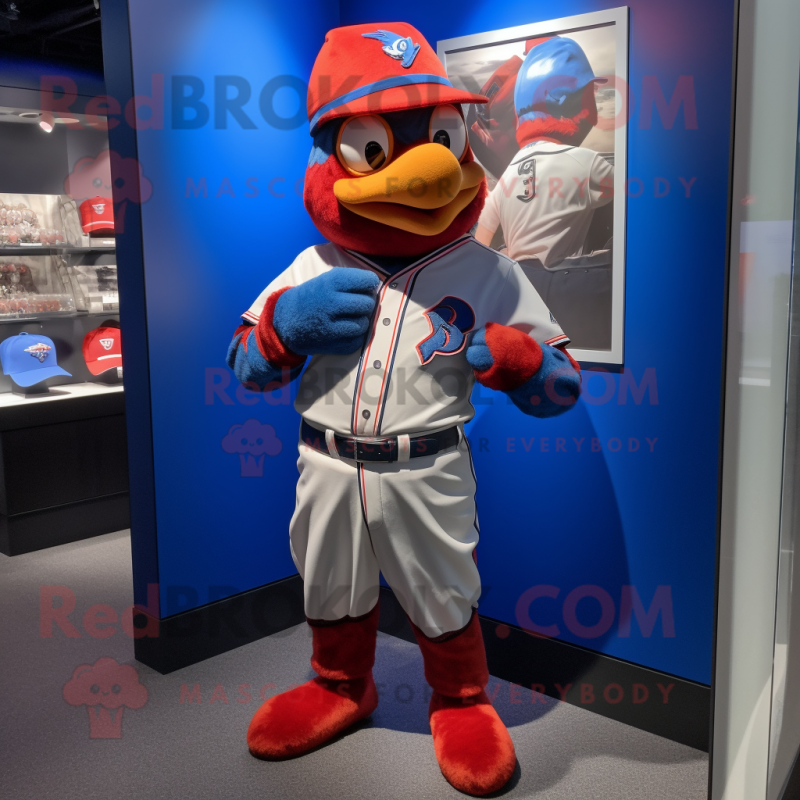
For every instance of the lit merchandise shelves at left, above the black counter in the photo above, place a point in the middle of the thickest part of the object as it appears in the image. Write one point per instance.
(58, 267)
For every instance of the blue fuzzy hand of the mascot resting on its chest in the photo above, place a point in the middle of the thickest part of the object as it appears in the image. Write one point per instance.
(328, 314)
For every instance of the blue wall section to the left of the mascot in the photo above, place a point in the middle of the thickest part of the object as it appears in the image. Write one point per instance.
(206, 259)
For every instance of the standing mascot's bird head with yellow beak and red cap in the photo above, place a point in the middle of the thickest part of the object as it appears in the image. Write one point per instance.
(391, 171)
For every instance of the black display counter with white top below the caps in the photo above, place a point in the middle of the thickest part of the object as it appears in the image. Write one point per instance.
(63, 466)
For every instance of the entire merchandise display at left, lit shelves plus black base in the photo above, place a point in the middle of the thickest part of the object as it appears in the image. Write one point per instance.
(61, 391)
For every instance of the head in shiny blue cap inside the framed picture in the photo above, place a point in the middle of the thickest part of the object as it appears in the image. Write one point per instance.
(554, 93)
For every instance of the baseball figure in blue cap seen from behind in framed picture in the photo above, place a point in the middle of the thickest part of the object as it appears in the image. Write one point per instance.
(546, 198)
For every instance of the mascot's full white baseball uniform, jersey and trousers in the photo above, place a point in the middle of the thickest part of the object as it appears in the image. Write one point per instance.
(413, 521)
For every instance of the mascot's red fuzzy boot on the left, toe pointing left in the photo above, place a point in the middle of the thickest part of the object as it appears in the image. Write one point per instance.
(301, 719)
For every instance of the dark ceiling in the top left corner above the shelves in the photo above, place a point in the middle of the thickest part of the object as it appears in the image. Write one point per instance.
(62, 31)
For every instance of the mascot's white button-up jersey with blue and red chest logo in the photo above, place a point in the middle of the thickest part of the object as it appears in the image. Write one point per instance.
(412, 375)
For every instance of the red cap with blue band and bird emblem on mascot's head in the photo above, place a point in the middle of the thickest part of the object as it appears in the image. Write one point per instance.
(375, 69)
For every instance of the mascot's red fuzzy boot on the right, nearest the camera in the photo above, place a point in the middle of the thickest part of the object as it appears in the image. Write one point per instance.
(473, 748)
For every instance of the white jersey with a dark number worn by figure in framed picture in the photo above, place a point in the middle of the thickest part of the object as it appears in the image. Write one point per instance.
(545, 200)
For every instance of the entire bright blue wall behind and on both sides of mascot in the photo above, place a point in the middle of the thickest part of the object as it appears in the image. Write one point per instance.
(558, 518)
